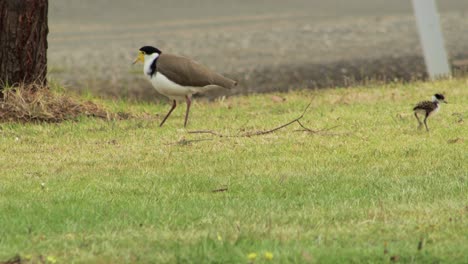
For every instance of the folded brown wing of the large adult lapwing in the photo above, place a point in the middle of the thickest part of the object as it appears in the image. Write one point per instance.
(186, 72)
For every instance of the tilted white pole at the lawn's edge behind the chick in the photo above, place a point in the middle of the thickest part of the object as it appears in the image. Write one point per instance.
(431, 37)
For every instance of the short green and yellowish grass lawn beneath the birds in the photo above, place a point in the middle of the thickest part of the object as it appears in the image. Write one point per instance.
(374, 189)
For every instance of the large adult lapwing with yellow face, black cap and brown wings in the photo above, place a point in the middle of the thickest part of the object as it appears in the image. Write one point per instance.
(178, 77)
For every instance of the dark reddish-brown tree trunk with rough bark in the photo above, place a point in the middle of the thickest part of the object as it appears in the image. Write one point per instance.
(23, 42)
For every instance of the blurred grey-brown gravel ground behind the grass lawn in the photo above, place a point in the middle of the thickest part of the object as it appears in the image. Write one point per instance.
(267, 45)
